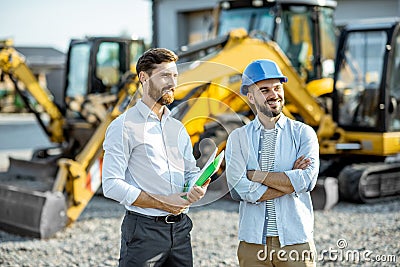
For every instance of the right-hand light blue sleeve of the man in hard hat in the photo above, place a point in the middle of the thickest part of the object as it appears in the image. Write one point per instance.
(305, 180)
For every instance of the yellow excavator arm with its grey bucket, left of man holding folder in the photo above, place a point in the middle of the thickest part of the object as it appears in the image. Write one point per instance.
(41, 206)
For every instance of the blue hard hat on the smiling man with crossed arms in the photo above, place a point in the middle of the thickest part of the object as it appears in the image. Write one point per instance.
(259, 70)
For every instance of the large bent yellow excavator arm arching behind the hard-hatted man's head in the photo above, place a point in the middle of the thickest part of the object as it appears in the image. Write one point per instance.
(213, 85)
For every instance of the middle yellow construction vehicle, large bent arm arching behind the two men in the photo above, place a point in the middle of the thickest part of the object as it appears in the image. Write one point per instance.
(299, 35)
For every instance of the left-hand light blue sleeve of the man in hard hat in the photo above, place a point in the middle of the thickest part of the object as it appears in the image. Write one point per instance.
(237, 157)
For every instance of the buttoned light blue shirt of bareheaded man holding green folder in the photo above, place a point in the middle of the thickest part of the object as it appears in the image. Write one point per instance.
(143, 153)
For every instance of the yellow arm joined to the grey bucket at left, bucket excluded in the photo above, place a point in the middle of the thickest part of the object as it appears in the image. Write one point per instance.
(81, 177)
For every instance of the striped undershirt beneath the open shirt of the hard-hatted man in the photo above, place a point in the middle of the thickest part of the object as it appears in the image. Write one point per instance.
(267, 160)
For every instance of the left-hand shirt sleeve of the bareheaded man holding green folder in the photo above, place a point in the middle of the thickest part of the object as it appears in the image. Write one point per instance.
(115, 164)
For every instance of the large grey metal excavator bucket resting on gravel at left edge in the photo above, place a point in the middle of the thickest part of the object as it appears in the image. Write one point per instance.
(27, 204)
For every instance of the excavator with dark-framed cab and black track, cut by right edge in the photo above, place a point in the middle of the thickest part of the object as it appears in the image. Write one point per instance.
(366, 107)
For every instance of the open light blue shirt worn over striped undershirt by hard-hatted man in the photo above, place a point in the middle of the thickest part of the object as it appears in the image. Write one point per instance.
(294, 212)
